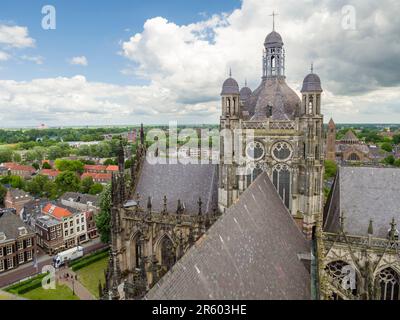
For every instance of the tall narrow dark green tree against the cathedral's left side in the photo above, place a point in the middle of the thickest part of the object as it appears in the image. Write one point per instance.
(103, 219)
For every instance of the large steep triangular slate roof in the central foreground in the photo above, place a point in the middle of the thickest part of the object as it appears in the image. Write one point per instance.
(251, 252)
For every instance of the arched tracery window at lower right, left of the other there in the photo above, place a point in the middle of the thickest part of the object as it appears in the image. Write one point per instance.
(342, 274)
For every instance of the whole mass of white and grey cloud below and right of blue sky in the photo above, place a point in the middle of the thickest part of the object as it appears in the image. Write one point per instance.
(185, 65)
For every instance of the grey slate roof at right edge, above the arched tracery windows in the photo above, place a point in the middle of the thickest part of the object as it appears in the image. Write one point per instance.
(364, 193)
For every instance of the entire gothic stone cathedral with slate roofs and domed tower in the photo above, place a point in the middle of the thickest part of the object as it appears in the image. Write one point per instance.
(255, 226)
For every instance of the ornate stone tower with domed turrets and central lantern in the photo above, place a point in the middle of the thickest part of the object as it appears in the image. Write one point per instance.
(279, 134)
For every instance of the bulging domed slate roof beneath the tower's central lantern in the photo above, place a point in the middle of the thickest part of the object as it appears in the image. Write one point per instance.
(276, 93)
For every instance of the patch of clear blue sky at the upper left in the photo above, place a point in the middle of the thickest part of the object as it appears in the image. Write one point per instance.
(93, 29)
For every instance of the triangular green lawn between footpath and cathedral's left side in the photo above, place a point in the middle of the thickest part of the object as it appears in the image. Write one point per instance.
(90, 275)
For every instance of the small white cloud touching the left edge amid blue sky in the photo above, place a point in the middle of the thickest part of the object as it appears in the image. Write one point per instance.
(15, 37)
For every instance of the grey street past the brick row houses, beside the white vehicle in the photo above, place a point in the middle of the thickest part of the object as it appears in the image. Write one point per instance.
(28, 269)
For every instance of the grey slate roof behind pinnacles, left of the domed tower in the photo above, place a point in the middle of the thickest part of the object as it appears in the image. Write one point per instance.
(178, 181)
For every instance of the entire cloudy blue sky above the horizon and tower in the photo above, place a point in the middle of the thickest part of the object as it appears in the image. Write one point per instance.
(126, 62)
